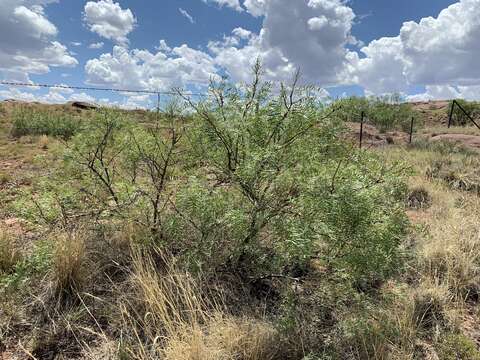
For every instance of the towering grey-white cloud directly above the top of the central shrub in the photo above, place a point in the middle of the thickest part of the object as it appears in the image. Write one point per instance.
(309, 35)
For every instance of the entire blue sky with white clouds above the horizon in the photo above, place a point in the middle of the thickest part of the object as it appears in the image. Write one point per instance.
(425, 50)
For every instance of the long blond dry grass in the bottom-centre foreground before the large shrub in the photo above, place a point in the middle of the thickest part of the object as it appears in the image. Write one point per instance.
(170, 319)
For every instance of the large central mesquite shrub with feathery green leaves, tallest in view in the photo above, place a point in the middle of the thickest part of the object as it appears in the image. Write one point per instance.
(269, 194)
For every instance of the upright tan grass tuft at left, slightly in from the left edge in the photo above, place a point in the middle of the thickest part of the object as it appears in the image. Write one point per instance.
(68, 258)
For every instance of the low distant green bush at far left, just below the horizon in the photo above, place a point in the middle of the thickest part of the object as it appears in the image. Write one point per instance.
(28, 121)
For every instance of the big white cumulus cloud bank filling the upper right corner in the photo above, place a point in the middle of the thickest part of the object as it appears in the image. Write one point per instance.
(440, 52)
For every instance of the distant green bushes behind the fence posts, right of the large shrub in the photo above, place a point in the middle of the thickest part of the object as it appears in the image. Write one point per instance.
(386, 113)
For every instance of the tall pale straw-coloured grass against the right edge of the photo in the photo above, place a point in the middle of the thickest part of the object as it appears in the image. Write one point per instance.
(450, 253)
